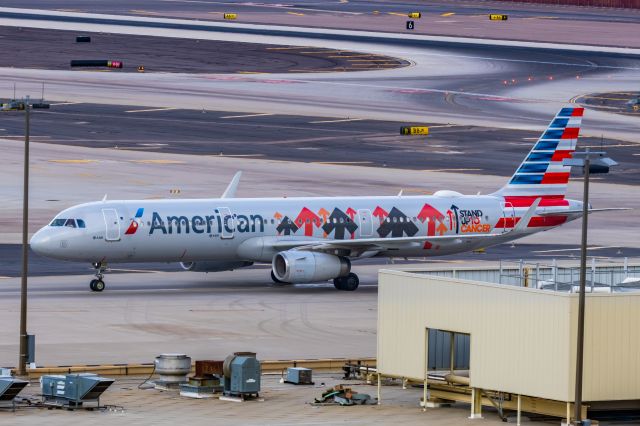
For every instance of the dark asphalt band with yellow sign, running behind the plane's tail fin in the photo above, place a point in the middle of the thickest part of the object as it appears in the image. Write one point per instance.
(339, 140)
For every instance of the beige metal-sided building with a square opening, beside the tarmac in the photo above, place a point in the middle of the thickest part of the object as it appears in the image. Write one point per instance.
(522, 340)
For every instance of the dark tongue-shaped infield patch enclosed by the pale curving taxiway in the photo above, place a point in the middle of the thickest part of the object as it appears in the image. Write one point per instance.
(52, 49)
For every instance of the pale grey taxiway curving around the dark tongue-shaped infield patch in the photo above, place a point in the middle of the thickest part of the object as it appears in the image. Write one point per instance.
(448, 83)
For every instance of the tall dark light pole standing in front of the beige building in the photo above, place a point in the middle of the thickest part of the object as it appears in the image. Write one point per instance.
(600, 164)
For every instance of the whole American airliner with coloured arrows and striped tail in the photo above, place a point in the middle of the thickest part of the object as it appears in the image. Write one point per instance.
(315, 239)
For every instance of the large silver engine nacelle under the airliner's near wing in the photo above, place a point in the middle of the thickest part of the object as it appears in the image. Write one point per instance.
(294, 266)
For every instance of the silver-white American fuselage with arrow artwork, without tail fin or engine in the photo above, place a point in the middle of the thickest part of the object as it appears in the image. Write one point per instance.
(242, 229)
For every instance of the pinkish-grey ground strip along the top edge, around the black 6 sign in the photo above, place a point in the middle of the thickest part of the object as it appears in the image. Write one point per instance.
(569, 24)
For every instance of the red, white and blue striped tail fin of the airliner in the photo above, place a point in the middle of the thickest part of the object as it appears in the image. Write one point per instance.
(541, 174)
